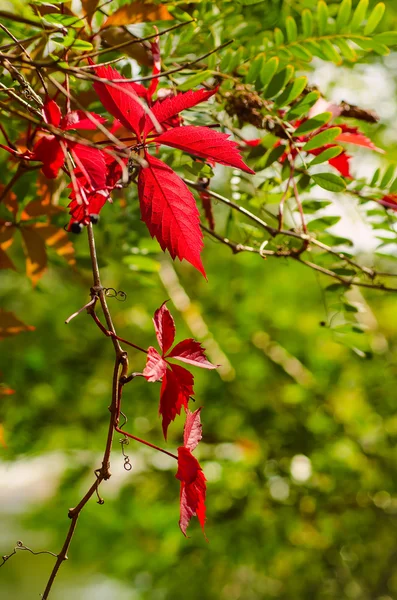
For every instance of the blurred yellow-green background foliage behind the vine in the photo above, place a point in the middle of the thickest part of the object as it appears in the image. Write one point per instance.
(299, 424)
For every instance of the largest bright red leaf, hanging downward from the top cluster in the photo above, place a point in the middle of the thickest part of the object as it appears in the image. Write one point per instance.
(169, 210)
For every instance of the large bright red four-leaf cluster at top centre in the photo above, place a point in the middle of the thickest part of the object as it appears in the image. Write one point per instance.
(167, 206)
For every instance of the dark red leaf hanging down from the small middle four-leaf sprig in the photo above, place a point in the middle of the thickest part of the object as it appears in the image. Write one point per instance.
(176, 388)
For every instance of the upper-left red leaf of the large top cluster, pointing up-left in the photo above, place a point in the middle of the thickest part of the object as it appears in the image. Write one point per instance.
(120, 101)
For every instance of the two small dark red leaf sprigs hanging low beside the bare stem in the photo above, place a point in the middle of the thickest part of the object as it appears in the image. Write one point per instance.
(176, 388)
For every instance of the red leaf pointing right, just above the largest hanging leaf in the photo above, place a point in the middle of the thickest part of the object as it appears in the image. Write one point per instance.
(206, 143)
